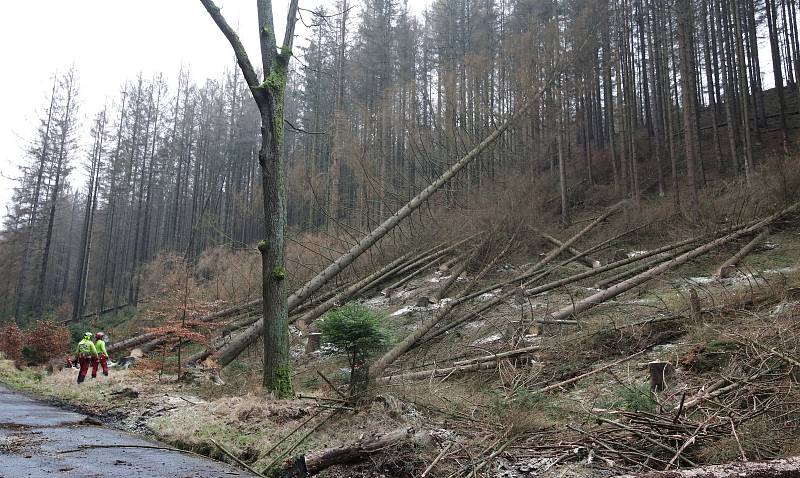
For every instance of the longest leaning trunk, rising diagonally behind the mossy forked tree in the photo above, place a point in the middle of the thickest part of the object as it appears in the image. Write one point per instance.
(247, 337)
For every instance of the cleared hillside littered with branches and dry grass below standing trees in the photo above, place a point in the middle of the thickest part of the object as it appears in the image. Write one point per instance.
(505, 389)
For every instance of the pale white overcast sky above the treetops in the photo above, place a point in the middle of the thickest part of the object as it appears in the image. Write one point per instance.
(109, 42)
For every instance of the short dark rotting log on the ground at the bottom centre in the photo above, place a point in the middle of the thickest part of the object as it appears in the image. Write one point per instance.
(314, 462)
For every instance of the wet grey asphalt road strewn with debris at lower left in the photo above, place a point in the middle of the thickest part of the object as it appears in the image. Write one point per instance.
(40, 440)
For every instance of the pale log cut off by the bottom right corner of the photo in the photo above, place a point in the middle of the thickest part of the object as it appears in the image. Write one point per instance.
(782, 468)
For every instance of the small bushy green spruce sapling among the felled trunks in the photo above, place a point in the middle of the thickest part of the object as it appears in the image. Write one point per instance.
(354, 331)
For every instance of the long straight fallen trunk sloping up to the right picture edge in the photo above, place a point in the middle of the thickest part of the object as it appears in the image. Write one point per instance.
(602, 296)
